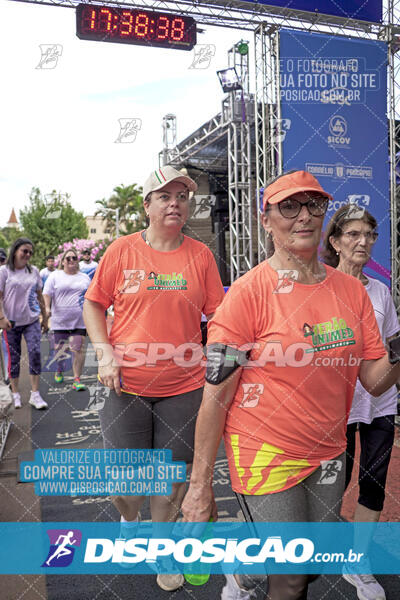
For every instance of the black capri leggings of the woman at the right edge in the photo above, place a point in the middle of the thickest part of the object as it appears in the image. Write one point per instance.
(376, 441)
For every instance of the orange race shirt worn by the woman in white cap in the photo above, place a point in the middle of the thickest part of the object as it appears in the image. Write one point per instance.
(158, 300)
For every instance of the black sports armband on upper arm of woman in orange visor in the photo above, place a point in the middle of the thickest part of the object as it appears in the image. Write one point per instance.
(223, 360)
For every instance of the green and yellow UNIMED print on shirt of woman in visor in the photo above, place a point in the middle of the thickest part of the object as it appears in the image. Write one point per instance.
(329, 334)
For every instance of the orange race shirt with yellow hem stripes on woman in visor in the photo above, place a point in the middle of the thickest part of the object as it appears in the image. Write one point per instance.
(290, 410)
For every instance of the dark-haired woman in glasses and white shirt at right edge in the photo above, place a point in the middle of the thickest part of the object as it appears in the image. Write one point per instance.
(349, 240)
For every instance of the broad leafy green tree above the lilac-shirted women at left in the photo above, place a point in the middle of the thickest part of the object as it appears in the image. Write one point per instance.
(50, 221)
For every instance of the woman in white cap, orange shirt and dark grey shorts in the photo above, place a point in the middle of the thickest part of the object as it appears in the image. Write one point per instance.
(160, 282)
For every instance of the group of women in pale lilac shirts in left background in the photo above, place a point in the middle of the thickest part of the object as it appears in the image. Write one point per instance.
(30, 303)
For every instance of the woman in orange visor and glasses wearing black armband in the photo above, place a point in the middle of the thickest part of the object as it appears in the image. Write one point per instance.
(283, 410)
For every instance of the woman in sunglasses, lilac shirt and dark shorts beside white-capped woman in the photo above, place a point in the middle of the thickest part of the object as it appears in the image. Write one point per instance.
(64, 295)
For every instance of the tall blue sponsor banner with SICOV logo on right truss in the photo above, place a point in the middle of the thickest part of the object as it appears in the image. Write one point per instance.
(333, 94)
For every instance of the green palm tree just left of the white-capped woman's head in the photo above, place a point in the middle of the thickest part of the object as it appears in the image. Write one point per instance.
(129, 200)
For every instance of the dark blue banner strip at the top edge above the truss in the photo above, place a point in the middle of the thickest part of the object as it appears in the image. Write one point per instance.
(363, 10)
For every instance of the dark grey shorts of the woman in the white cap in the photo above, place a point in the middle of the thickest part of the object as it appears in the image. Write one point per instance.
(166, 423)
